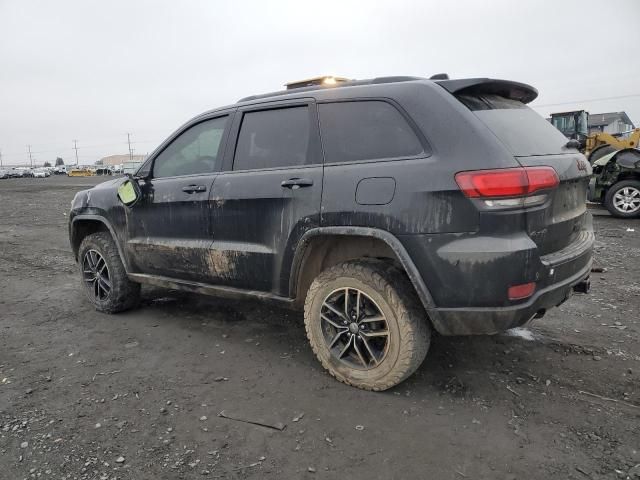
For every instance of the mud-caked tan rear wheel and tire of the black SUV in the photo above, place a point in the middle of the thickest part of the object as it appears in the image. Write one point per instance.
(366, 324)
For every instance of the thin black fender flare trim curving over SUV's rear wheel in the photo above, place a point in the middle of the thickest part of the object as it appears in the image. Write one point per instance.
(387, 237)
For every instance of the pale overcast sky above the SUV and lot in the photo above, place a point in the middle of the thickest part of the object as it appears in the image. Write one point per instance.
(95, 70)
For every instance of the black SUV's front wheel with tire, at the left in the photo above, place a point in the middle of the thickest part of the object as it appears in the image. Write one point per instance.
(104, 278)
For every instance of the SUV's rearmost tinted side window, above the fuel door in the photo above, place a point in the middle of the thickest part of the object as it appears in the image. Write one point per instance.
(365, 130)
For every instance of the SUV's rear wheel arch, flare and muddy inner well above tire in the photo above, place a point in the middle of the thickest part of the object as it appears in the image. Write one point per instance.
(316, 251)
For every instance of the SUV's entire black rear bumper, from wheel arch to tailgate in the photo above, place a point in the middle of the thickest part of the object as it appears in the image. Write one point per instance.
(469, 277)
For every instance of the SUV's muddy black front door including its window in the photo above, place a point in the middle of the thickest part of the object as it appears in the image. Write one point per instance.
(169, 231)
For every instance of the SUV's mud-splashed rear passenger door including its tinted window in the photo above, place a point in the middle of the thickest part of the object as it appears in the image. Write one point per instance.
(268, 194)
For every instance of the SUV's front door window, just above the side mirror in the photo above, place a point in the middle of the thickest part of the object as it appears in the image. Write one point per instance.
(195, 151)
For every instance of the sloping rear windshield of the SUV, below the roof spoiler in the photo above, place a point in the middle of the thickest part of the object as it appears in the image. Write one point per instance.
(523, 131)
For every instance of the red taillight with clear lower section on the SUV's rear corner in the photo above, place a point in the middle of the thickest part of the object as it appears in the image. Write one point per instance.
(508, 187)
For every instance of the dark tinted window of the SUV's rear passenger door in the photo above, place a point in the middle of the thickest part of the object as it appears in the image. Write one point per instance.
(273, 138)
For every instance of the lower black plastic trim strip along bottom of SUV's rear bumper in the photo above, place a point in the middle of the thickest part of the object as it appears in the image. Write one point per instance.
(478, 321)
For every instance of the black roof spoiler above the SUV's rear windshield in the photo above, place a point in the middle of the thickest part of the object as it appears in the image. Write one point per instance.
(505, 88)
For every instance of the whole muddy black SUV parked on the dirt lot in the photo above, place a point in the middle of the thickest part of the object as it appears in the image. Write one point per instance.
(385, 208)
